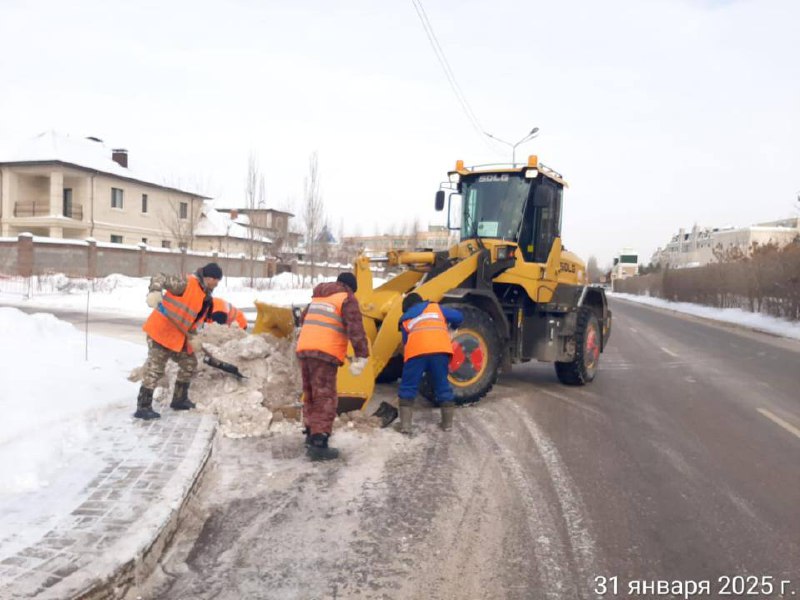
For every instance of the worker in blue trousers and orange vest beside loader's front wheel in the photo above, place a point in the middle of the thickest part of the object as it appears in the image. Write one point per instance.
(427, 349)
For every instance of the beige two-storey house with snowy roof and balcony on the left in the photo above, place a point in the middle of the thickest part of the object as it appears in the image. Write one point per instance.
(62, 187)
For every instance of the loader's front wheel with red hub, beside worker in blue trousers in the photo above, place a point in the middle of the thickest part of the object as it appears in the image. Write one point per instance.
(477, 351)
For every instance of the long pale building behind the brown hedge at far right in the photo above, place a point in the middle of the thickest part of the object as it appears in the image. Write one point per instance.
(701, 246)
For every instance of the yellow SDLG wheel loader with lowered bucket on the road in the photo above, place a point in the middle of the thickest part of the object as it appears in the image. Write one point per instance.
(523, 296)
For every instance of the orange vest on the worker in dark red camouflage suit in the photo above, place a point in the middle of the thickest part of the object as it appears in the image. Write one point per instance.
(323, 327)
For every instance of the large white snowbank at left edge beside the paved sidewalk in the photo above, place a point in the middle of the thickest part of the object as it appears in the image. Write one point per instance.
(51, 395)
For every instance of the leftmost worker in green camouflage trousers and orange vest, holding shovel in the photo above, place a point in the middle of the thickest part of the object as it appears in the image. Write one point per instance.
(180, 304)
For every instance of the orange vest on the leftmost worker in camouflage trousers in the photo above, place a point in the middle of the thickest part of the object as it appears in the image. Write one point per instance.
(175, 316)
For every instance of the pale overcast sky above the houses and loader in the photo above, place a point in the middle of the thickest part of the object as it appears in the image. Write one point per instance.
(660, 114)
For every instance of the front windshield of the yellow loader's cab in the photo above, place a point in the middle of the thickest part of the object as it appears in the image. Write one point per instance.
(493, 206)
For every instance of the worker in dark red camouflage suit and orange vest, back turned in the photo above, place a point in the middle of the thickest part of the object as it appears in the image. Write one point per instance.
(332, 318)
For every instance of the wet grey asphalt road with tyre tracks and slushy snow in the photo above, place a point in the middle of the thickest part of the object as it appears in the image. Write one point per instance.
(680, 462)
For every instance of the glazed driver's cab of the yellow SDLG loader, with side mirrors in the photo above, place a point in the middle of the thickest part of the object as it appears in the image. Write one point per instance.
(522, 206)
